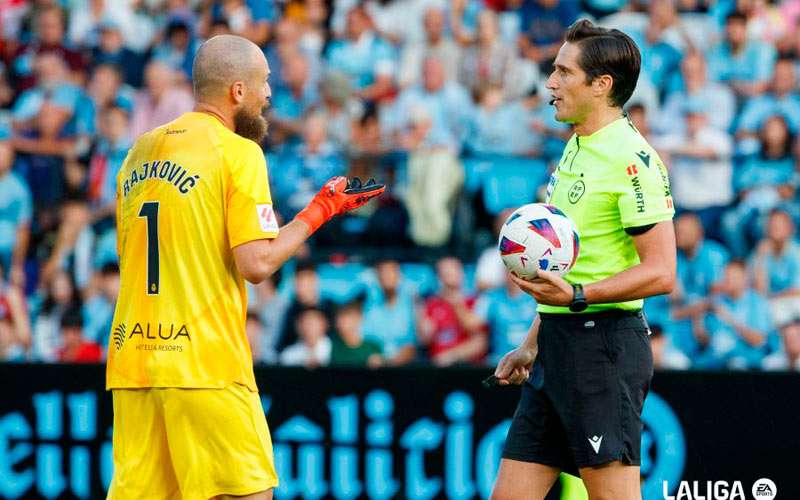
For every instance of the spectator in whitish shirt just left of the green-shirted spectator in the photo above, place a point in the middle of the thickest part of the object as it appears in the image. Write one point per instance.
(314, 346)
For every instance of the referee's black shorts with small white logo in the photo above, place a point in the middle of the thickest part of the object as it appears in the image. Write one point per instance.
(582, 404)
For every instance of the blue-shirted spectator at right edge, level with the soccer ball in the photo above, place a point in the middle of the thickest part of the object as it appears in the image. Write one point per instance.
(776, 267)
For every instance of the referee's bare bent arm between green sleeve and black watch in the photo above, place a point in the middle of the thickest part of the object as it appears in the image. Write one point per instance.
(654, 275)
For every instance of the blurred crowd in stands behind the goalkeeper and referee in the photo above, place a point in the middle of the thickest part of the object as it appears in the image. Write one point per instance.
(443, 100)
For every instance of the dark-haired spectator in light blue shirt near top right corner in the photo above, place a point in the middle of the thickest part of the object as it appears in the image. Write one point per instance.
(744, 64)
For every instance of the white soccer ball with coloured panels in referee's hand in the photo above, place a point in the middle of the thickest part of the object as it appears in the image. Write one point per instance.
(538, 236)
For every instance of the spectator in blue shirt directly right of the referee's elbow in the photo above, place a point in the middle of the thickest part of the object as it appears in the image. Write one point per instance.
(700, 263)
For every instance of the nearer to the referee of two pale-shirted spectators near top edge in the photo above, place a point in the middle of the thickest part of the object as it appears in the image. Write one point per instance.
(489, 60)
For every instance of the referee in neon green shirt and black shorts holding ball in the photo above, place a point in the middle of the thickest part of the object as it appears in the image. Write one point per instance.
(588, 349)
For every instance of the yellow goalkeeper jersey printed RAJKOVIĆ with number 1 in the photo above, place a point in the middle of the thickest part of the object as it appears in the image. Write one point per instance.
(188, 193)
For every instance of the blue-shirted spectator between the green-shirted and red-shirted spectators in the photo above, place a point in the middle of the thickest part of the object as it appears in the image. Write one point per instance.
(389, 315)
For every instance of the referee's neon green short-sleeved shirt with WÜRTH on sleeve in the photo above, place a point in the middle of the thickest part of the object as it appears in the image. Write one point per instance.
(607, 182)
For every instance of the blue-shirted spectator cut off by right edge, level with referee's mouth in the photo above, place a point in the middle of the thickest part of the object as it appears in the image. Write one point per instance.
(782, 99)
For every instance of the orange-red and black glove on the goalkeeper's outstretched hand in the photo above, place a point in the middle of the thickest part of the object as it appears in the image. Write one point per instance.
(336, 197)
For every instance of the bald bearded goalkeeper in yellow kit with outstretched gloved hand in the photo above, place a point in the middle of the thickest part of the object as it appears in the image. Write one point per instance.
(194, 220)
